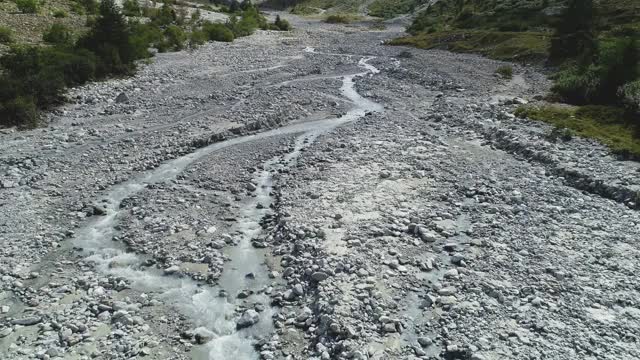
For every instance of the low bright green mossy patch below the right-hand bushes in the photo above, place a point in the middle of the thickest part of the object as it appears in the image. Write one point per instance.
(605, 124)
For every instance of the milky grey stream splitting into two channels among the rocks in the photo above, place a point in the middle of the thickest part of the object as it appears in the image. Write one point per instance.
(214, 314)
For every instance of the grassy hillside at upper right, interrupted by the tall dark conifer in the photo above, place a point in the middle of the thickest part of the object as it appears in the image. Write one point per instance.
(504, 30)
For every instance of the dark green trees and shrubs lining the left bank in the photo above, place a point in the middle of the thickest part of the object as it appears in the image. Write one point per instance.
(33, 78)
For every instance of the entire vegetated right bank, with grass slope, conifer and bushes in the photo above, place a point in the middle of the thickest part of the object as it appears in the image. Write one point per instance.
(592, 46)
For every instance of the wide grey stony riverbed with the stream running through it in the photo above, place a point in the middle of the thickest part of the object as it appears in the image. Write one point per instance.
(314, 195)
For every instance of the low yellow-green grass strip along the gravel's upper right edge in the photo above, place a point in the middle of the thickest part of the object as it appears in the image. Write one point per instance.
(508, 46)
